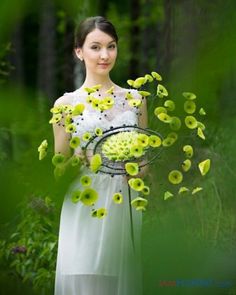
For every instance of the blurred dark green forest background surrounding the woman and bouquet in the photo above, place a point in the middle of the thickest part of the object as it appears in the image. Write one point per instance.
(192, 44)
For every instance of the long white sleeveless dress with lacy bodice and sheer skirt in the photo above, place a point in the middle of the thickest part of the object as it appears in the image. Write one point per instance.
(96, 256)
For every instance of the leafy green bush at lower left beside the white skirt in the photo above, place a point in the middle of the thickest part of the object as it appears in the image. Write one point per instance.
(29, 252)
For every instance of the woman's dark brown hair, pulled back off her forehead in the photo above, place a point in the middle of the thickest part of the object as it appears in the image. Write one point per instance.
(91, 23)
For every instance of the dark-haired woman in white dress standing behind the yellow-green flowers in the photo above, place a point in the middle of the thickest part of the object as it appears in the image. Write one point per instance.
(96, 256)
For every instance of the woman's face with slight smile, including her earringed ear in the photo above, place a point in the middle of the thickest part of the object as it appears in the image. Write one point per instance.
(99, 52)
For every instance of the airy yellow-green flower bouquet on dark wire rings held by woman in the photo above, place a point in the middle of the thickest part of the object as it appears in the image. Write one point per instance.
(126, 149)
